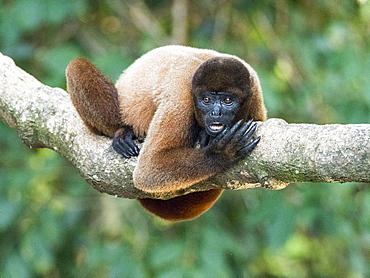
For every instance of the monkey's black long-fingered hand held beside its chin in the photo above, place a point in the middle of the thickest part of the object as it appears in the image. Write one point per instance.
(235, 143)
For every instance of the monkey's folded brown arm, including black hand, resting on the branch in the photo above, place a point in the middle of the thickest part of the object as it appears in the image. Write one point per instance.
(169, 163)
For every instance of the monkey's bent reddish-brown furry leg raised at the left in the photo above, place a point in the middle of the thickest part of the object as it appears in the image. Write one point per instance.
(94, 96)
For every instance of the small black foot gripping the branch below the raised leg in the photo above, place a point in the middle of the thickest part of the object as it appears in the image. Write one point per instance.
(123, 142)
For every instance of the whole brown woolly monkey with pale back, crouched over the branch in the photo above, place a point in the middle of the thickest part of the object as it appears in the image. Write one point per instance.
(175, 97)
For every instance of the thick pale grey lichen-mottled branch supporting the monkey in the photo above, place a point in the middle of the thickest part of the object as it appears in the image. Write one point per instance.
(45, 117)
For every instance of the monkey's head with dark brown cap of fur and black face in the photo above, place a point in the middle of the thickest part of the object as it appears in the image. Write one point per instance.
(220, 88)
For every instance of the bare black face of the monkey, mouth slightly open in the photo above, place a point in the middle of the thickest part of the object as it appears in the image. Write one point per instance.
(218, 110)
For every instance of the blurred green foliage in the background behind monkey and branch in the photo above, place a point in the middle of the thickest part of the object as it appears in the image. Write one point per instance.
(313, 59)
